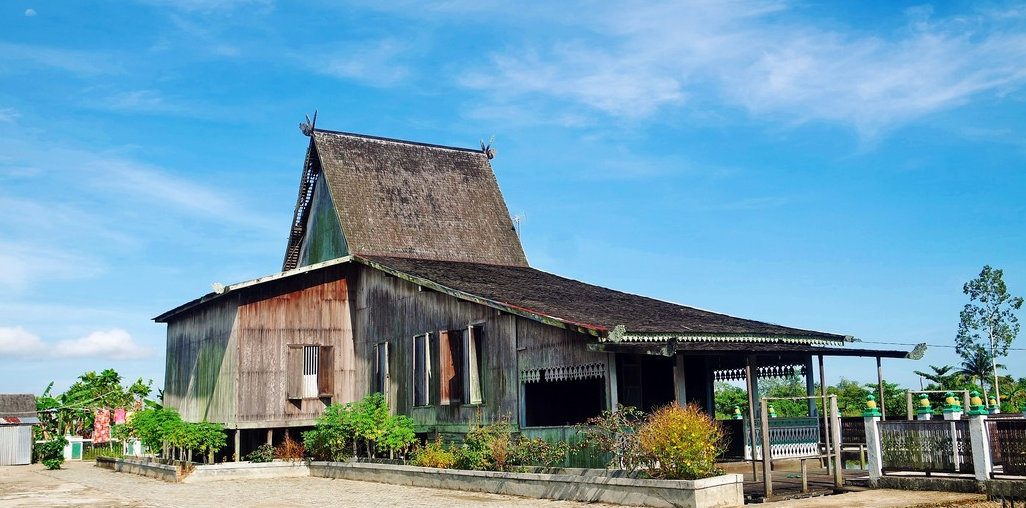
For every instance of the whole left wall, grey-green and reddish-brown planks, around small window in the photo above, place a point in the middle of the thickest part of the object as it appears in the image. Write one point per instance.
(227, 360)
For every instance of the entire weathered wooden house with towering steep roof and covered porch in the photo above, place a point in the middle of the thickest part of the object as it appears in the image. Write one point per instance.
(404, 276)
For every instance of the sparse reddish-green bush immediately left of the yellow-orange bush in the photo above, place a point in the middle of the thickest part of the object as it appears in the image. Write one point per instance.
(615, 434)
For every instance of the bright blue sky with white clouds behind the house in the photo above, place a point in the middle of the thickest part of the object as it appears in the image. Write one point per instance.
(843, 167)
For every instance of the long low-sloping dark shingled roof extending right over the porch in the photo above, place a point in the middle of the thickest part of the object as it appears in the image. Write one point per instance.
(589, 308)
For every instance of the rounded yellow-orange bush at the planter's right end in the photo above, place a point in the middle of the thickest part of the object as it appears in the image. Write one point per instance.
(682, 443)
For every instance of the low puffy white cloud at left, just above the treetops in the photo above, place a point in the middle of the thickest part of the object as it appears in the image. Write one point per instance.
(114, 344)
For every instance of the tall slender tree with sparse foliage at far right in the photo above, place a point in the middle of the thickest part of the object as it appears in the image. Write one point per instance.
(989, 321)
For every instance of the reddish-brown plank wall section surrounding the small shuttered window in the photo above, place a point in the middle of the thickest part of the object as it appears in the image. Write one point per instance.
(315, 314)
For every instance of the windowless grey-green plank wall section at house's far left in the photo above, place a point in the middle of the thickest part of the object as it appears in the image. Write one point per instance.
(203, 363)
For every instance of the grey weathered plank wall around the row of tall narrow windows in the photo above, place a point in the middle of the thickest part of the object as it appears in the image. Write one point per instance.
(392, 310)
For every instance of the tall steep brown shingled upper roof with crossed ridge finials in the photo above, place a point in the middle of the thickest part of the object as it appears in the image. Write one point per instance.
(398, 199)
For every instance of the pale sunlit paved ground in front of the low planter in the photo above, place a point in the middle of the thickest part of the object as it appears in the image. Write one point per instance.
(82, 484)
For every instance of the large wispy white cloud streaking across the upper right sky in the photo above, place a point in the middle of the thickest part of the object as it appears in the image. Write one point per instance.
(639, 61)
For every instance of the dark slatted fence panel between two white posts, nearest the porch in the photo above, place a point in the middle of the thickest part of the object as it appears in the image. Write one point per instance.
(927, 446)
